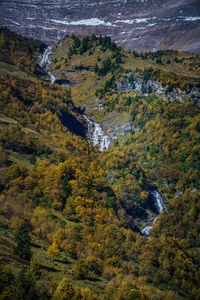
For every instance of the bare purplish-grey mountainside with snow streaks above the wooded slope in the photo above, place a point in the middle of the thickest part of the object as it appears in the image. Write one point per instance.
(134, 24)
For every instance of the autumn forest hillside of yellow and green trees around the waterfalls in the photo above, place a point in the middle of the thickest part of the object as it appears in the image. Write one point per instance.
(71, 216)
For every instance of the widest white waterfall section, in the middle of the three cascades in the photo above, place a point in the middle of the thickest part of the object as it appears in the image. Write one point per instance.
(96, 135)
